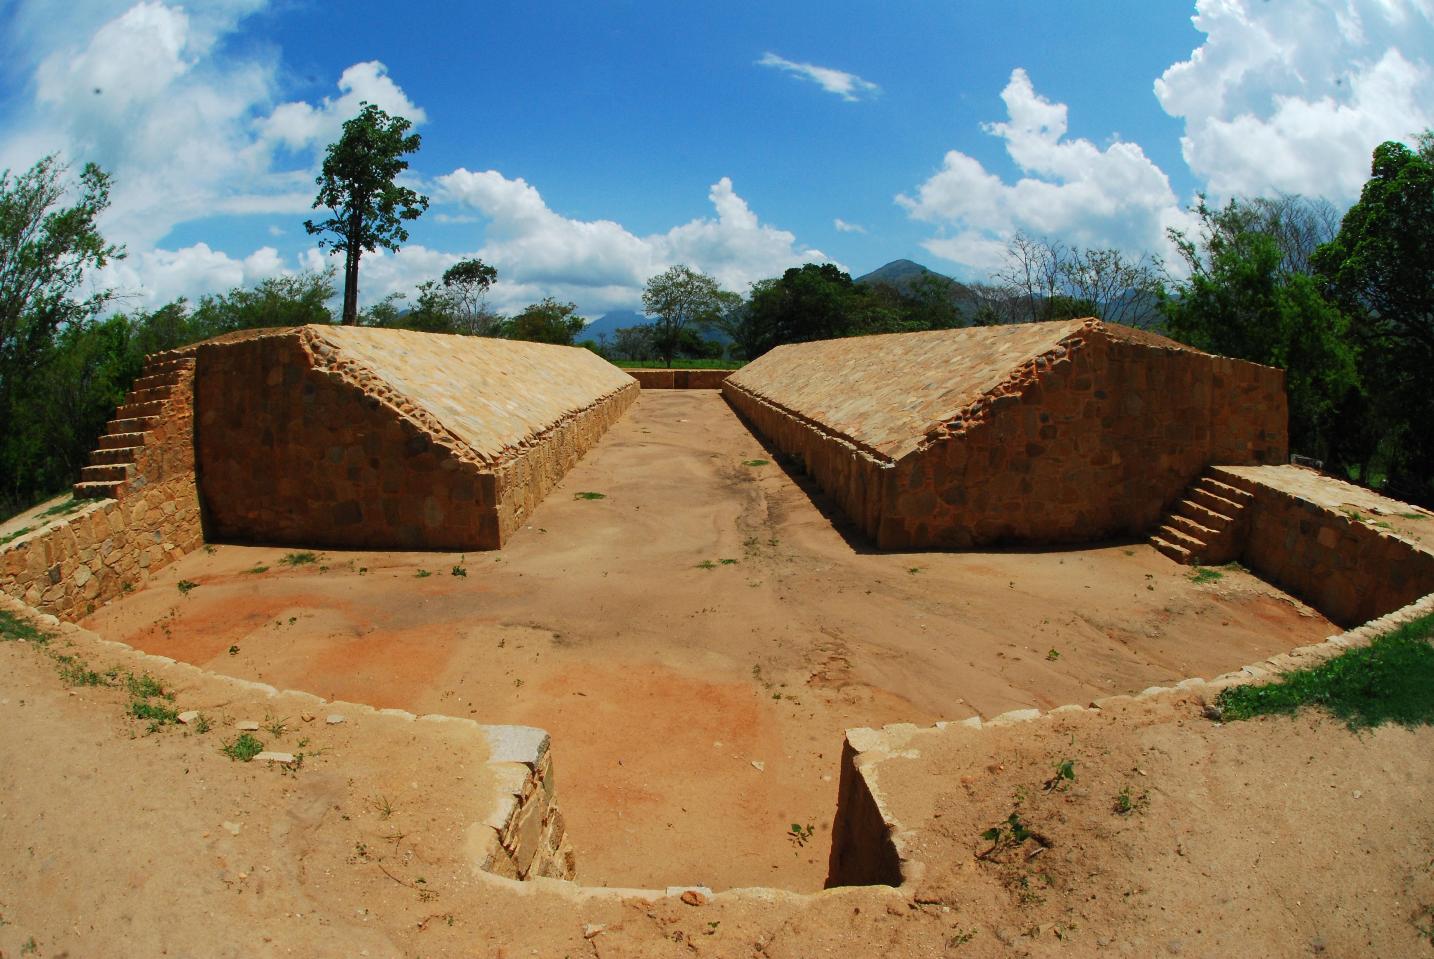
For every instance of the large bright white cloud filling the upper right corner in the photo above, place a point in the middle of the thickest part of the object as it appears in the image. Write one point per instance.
(1294, 95)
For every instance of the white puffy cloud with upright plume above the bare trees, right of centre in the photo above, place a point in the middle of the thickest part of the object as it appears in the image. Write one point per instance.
(1070, 190)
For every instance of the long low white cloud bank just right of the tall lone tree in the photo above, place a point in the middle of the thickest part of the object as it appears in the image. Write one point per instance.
(600, 264)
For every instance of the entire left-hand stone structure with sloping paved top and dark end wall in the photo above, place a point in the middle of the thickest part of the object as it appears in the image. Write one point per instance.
(359, 438)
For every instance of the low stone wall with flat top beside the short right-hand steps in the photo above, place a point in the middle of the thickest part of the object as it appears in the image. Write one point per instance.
(1337, 561)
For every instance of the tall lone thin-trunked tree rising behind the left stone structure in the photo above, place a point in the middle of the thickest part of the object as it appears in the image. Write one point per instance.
(356, 186)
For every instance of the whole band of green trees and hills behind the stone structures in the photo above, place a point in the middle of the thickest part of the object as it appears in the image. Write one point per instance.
(1343, 305)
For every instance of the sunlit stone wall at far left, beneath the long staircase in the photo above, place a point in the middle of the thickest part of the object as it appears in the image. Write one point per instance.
(113, 547)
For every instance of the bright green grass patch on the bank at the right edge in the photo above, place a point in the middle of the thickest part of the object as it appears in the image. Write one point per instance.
(1389, 682)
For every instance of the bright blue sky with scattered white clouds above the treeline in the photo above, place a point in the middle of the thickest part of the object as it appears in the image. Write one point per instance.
(584, 147)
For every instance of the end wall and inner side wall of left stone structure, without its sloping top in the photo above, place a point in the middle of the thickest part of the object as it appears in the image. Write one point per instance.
(300, 445)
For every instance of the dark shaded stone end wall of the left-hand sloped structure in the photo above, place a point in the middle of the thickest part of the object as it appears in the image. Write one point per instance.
(290, 454)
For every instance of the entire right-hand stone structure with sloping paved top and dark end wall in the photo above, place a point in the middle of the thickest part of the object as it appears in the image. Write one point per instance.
(1035, 434)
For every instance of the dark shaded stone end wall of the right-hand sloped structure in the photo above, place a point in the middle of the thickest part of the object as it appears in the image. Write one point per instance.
(1093, 439)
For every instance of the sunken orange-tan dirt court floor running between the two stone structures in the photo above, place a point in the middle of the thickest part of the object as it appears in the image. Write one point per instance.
(698, 713)
